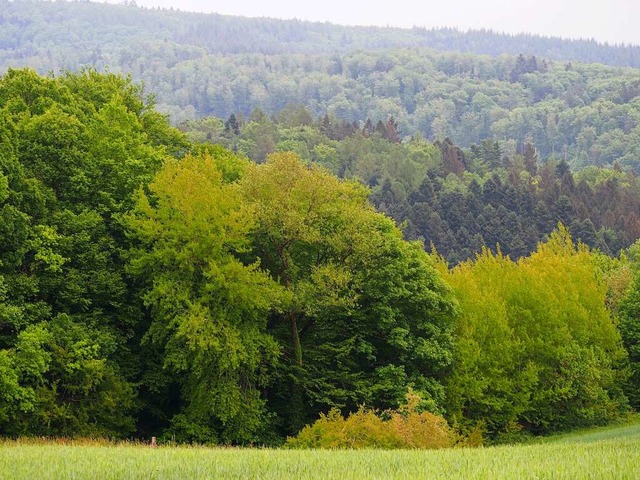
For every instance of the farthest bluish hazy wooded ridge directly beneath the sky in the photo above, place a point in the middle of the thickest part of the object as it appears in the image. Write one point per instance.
(50, 35)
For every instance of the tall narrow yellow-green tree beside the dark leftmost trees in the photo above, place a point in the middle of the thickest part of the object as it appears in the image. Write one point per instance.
(208, 309)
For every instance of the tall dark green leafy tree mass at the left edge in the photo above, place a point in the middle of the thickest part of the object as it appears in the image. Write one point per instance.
(73, 149)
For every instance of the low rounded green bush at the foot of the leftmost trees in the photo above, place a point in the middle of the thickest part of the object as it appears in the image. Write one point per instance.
(58, 379)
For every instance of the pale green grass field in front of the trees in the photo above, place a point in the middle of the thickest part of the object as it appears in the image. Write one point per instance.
(608, 453)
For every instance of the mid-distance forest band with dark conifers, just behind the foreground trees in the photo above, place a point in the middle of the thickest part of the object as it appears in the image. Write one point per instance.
(458, 200)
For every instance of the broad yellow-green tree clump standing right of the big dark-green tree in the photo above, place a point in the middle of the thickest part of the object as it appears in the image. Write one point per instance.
(536, 349)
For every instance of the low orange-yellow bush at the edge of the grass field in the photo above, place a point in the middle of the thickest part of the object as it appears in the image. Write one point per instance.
(403, 428)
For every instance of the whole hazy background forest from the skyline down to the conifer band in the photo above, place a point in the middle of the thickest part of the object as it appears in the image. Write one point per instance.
(530, 89)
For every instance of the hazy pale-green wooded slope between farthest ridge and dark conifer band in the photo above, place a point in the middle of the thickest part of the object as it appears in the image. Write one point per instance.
(584, 114)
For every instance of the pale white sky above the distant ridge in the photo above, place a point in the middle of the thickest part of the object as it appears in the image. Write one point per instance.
(613, 21)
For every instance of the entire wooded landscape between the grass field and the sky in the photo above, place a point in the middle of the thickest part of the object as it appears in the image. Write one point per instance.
(221, 230)
